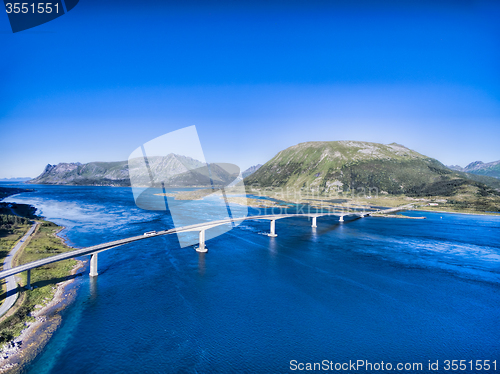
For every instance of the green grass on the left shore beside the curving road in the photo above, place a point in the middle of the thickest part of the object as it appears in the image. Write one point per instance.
(44, 243)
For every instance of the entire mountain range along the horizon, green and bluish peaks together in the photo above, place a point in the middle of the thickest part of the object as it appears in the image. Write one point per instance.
(391, 169)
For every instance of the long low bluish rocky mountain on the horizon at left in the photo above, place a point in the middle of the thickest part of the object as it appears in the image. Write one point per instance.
(171, 170)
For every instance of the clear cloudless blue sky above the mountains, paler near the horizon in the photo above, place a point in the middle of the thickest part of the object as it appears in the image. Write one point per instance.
(254, 77)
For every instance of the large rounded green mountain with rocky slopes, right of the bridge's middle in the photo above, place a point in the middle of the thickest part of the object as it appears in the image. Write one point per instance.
(347, 165)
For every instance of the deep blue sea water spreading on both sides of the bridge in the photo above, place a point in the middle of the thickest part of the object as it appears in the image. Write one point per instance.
(375, 289)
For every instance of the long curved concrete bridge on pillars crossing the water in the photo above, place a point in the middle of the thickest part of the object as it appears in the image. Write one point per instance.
(200, 227)
